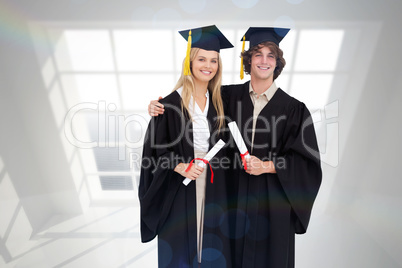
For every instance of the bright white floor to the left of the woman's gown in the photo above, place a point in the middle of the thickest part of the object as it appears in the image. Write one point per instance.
(103, 237)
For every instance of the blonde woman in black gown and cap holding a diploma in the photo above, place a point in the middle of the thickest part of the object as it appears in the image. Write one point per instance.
(190, 221)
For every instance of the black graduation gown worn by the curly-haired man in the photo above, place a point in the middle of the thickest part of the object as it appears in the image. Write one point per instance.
(271, 208)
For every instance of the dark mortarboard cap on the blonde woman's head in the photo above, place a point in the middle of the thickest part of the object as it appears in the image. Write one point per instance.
(208, 38)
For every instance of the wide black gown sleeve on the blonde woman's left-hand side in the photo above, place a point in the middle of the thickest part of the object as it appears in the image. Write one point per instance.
(158, 180)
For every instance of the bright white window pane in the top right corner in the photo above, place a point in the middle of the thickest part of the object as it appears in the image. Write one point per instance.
(318, 50)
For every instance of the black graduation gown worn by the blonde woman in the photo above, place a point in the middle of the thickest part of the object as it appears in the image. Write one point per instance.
(168, 208)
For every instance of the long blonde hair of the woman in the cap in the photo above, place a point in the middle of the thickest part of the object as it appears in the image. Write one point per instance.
(214, 87)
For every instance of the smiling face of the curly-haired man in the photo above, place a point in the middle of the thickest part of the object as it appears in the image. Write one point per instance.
(263, 63)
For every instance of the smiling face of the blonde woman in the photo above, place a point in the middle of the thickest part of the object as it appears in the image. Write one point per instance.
(205, 65)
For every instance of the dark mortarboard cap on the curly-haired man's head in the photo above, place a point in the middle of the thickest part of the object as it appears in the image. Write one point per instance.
(257, 35)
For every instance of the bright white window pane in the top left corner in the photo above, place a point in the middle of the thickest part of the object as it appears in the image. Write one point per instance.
(89, 50)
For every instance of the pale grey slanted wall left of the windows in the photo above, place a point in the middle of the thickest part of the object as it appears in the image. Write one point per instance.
(30, 148)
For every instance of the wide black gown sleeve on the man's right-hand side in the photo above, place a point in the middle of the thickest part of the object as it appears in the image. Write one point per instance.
(300, 173)
